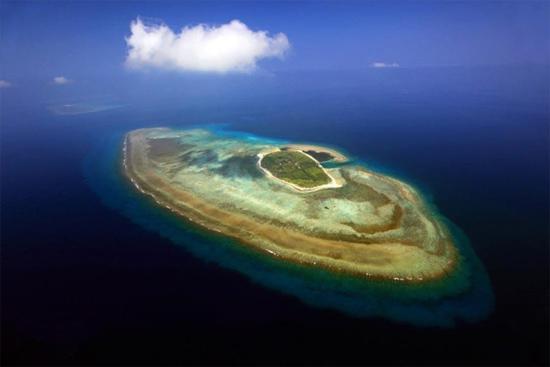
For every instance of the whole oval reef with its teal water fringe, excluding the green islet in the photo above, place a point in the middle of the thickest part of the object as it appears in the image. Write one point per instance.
(371, 247)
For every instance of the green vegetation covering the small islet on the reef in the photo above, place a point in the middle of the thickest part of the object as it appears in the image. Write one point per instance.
(295, 167)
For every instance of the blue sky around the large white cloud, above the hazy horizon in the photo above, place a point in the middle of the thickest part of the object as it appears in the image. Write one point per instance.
(76, 39)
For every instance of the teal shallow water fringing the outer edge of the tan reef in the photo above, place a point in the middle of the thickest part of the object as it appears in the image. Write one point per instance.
(418, 305)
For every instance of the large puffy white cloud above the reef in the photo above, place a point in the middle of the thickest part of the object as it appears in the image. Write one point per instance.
(231, 47)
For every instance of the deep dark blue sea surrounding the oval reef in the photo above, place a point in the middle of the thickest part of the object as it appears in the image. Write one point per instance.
(82, 283)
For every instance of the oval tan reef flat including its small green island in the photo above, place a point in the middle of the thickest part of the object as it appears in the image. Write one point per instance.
(287, 202)
